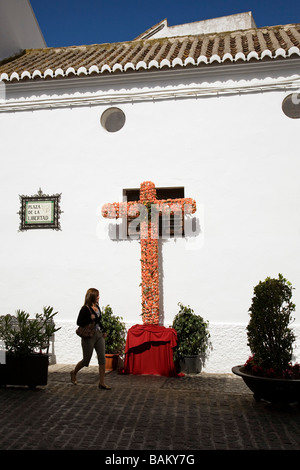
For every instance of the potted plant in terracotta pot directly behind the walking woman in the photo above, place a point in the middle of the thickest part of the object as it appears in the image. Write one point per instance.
(115, 340)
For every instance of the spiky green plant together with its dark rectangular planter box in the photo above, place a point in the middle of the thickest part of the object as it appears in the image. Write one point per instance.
(26, 343)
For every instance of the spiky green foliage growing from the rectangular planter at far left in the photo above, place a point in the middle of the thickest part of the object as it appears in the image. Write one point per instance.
(23, 336)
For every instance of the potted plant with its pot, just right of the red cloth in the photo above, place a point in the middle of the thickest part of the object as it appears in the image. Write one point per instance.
(193, 340)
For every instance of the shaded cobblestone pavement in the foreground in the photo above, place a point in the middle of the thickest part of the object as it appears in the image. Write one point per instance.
(203, 412)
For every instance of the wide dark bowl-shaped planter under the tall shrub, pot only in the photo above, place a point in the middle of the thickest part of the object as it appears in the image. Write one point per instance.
(274, 390)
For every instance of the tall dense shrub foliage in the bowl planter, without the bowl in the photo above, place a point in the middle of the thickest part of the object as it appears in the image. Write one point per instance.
(270, 337)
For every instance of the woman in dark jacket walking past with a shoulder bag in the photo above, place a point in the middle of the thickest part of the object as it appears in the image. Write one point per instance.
(88, 313)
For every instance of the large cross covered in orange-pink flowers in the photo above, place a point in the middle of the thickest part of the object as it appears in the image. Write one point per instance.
(149, 238)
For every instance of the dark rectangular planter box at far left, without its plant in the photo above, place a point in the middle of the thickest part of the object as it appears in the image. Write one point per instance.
(30, 371)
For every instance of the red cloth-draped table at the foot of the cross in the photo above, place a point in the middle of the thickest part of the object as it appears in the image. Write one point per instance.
(149, 350)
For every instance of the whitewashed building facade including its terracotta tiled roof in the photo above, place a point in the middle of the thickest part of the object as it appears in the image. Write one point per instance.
(208, 108)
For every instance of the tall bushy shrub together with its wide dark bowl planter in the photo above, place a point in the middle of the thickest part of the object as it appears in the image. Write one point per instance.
(269, 371)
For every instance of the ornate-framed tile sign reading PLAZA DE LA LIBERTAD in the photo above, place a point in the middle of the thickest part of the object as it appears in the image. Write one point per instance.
(40, 211)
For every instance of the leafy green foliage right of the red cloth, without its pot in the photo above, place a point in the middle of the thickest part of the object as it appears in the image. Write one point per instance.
(193, 337)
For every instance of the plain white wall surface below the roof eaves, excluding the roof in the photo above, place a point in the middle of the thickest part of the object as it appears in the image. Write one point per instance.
(236, 154)
